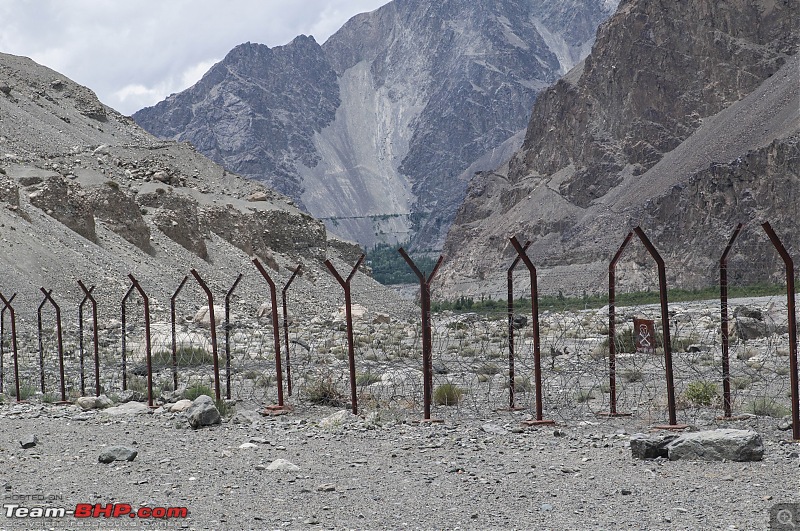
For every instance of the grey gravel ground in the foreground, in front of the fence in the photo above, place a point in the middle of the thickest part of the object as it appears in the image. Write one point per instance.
(378, 473)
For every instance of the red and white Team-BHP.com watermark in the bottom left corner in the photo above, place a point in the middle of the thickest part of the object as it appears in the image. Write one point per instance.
(42, 506)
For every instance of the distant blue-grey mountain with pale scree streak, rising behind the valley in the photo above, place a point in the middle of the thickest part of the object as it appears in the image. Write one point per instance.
(378, 130)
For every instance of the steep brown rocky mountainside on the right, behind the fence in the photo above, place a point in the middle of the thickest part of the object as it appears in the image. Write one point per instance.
(683, 119)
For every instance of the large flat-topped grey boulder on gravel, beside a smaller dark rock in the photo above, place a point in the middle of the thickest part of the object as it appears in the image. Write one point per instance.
(716, 445)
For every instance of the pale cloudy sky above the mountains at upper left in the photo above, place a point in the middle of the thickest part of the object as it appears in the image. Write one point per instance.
(134, 53)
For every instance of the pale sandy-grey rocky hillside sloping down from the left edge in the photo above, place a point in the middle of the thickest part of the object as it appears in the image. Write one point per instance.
(86, 194)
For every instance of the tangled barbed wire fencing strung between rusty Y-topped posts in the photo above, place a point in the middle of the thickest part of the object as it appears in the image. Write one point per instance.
(470, 366)
